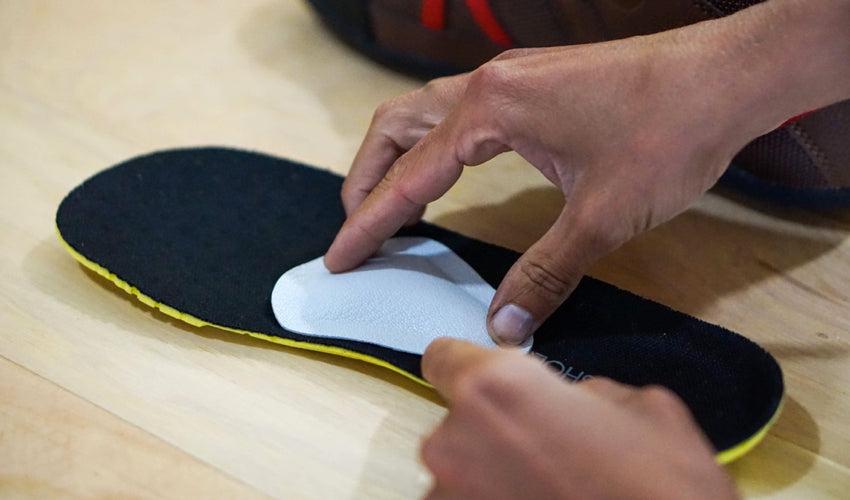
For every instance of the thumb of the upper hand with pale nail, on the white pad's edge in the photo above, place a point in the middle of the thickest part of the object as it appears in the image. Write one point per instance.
(539, 282)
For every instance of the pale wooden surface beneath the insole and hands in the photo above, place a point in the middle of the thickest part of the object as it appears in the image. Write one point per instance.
(100, 396)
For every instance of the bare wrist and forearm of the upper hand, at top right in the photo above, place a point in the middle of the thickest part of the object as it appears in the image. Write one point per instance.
(768, 63)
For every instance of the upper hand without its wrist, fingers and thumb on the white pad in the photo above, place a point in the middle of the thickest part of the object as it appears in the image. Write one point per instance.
(597, 121)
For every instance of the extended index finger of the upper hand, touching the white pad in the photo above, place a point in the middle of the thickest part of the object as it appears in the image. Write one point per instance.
(419, 177)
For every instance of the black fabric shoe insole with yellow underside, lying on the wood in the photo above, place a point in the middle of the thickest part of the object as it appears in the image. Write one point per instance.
(204, 234)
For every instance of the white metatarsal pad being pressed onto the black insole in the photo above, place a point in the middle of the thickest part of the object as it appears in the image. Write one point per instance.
(413, 291)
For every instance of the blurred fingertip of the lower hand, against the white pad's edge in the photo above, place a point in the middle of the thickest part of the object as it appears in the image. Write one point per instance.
(446, 360)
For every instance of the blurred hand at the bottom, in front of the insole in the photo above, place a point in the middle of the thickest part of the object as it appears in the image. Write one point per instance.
(516, 430)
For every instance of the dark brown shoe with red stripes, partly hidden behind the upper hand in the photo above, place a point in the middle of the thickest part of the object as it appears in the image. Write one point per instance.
(806, 162)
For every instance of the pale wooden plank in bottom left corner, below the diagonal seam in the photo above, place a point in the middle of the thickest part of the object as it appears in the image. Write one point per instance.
(55, 445)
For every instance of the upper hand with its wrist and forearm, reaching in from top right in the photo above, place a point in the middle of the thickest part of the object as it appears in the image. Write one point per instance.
(631, 131)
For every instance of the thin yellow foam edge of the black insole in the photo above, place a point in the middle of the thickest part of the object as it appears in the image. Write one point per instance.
(723, 457)
